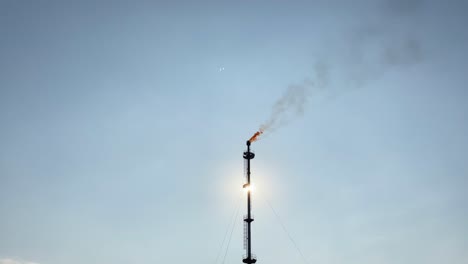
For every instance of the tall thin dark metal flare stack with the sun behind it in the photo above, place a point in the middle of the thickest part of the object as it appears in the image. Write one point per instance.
(248, 219)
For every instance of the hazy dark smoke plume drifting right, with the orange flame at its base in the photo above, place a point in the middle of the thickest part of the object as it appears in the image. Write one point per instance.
(369, 52)
